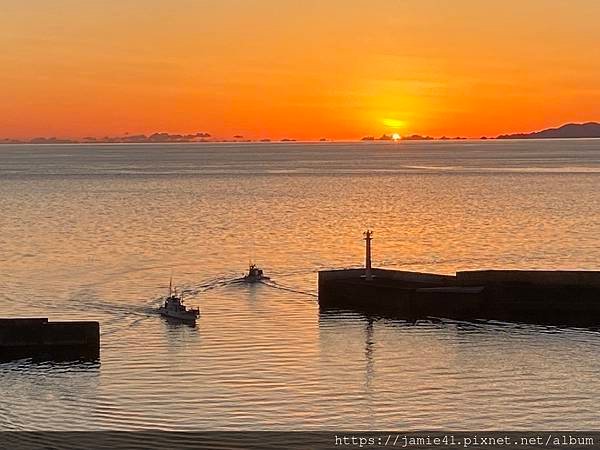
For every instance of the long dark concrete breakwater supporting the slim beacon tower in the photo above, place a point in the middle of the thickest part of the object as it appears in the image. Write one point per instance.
(544, 297)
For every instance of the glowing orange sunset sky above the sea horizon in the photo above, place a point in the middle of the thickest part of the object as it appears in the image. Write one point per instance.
(303, 69)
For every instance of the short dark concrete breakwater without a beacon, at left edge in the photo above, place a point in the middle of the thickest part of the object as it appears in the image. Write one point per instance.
(40, 339)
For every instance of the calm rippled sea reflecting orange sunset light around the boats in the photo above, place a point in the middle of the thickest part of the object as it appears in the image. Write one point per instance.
(94, 232)
